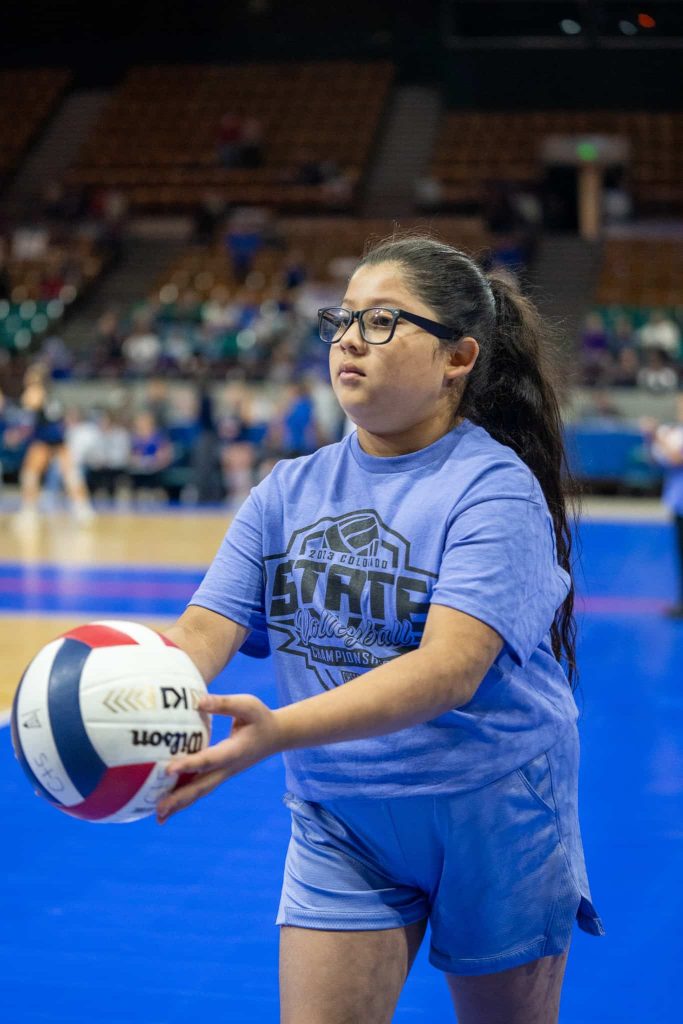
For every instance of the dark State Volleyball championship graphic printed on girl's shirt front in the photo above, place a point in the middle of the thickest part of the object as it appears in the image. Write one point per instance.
(346, 595)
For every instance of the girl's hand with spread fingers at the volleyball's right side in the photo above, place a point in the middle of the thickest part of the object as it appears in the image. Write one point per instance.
(253, 738)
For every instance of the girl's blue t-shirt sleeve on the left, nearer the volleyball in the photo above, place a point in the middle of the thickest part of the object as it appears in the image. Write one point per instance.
(234, 583)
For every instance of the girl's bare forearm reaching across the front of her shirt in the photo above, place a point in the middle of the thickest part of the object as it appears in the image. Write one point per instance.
(411, 690)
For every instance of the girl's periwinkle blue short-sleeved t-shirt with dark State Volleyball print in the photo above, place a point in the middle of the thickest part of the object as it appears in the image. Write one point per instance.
(334, 561)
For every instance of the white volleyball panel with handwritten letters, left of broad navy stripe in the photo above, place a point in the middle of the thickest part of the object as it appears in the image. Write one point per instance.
(35, 734)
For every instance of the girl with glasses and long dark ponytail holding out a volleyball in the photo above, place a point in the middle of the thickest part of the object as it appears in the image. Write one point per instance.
(414, 584)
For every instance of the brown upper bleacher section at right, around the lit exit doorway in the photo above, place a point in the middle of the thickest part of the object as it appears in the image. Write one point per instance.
(476, 148)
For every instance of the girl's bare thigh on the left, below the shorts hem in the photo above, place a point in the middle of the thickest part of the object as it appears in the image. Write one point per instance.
(345, 977)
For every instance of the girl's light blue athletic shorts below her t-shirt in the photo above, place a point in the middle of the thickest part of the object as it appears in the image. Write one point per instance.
(499, 871)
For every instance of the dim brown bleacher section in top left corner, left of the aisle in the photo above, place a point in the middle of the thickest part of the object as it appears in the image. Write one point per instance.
(27, 98)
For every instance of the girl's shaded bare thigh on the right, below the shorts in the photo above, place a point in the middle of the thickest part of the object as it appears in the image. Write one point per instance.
(527, 995)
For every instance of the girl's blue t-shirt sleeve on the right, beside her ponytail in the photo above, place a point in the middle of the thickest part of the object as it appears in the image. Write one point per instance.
(500, 566)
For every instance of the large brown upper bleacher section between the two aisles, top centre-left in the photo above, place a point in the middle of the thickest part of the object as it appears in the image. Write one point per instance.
(158, 141)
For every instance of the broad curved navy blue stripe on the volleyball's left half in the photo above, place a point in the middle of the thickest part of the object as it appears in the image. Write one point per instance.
(82, 763)
